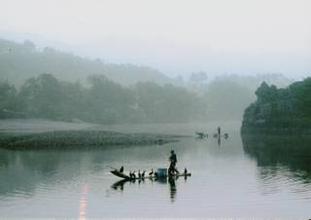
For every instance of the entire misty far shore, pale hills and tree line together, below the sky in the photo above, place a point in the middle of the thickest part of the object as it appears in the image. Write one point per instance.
(60, 86)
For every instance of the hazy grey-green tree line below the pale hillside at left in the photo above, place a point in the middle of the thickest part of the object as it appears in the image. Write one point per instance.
(102, 102)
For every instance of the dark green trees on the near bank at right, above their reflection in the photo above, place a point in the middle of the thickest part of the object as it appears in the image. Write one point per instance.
(287, 108)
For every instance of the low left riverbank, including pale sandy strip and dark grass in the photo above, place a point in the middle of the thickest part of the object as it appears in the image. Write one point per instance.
(43, 134)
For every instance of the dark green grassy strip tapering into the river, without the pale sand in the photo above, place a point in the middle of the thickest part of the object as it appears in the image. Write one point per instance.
(80, 139)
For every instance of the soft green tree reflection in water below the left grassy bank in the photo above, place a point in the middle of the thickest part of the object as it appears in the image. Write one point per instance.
(24, 170)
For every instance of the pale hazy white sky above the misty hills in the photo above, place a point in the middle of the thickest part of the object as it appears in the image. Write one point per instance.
(175, 36)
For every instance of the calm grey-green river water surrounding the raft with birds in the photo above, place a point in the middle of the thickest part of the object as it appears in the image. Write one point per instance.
(227, 181)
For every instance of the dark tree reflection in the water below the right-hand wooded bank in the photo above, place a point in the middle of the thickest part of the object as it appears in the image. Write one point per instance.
(292, 152)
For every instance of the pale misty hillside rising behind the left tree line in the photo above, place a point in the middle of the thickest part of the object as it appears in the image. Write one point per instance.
(19, 62)
